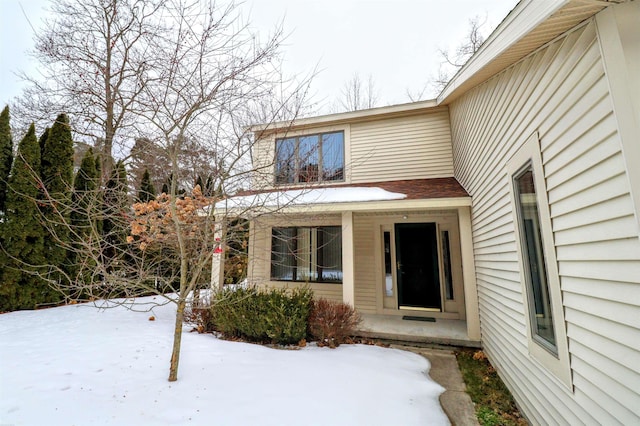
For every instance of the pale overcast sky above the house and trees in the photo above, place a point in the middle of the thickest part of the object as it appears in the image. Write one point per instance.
(394, 41)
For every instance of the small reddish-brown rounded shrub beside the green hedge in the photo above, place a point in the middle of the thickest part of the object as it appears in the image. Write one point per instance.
(332, 323)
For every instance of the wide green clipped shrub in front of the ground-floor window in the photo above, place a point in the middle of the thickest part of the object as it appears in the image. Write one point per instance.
(274, 315)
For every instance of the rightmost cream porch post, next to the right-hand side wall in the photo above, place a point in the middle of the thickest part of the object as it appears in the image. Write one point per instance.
(469, 274)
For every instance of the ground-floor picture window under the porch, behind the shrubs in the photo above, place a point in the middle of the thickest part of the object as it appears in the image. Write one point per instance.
(307, 254)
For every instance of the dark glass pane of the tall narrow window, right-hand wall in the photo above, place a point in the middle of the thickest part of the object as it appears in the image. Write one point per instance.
(534, 260)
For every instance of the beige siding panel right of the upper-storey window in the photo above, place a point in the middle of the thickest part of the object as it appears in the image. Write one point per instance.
(414, 147)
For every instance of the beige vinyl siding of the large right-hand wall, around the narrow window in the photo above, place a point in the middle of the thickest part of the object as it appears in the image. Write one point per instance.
(561, 92)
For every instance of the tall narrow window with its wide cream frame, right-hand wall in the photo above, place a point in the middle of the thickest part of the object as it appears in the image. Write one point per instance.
(541, 283)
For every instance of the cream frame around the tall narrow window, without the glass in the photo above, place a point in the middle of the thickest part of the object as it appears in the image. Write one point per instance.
(557, 363)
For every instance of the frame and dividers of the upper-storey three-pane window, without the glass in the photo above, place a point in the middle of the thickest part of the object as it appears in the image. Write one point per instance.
(297, 138)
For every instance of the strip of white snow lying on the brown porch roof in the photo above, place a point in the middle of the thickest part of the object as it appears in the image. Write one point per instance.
(312, 196)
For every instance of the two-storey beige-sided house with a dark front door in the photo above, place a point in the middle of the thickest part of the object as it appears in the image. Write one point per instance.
(510, 205)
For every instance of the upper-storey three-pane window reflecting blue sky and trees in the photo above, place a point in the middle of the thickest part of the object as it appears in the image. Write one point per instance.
(310, 158)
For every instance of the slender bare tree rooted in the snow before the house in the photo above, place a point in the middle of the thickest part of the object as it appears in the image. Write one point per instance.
(209, 80)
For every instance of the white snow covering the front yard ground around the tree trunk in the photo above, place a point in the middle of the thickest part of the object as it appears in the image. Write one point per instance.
(79, 365)
